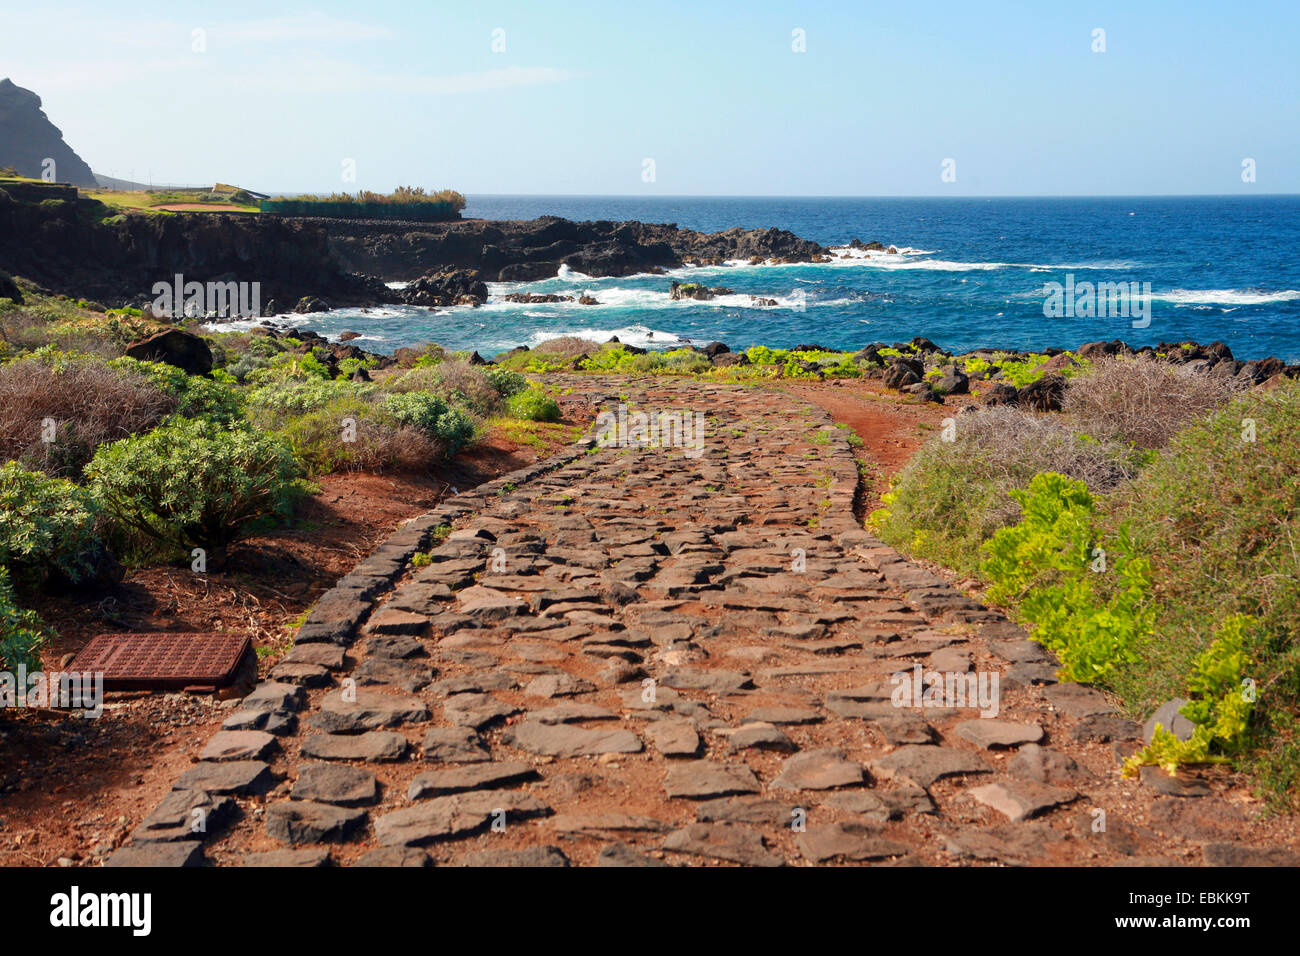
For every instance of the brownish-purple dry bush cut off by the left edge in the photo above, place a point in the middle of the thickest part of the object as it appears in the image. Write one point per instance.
(55, 414)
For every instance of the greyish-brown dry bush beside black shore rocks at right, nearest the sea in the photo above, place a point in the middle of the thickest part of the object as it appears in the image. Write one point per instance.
(1143, 403)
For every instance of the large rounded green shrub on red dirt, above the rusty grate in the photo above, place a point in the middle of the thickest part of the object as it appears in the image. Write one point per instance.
(193, 483)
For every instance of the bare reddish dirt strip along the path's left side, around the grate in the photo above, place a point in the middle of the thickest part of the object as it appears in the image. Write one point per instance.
(72, 789)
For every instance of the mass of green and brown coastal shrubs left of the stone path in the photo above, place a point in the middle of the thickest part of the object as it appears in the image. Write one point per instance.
(111, 460)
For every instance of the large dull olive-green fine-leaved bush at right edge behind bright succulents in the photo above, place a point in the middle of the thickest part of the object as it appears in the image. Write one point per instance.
(1219, 517)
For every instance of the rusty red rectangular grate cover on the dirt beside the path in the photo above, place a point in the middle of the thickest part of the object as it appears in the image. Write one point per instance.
(163, 661)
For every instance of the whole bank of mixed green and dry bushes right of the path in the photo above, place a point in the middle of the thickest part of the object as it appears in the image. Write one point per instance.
(1146, 535)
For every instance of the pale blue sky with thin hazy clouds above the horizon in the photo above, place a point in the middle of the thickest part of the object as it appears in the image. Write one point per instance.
(703, 98)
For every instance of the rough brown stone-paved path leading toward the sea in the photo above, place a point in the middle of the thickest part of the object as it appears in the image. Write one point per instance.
(647, 657)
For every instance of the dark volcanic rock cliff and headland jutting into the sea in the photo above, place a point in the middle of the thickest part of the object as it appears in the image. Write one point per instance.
(66, 246)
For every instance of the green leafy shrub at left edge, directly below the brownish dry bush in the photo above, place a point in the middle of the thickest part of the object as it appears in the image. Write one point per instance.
(46, 525)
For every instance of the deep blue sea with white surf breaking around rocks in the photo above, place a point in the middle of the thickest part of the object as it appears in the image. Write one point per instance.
(968, 274)
